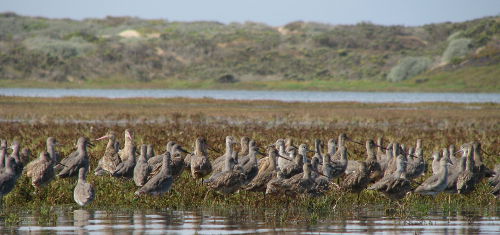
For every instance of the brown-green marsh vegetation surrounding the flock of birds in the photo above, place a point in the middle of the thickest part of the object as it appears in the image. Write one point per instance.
(156, 121)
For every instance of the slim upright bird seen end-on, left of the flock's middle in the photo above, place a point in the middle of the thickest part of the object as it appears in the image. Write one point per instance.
(200, 163)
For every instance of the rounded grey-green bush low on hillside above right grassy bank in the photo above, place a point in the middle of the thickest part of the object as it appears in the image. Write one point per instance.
(408, 67)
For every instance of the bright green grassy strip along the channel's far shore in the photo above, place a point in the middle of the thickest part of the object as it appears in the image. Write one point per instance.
(468, 79)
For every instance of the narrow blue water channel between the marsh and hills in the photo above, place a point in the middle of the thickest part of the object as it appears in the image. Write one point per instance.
(301, 96)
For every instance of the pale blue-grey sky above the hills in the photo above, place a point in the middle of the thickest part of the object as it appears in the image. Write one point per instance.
(271, 12)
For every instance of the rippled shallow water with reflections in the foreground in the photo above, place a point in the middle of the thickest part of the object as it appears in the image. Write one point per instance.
(65, 220)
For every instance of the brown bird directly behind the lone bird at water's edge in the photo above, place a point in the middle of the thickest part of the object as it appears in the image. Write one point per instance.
(76, 160)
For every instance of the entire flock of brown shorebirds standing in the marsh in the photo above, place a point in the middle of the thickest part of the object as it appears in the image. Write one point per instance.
(285, 169)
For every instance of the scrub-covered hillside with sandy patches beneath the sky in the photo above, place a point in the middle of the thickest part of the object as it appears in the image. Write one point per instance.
(126, 52)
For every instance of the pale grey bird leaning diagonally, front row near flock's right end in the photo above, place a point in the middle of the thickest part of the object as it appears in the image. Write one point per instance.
(438, 182)
